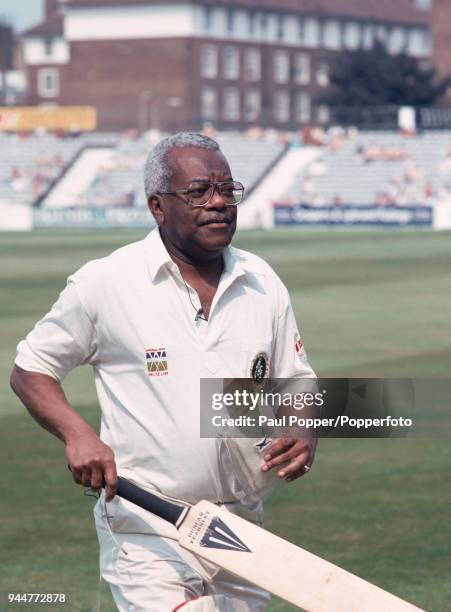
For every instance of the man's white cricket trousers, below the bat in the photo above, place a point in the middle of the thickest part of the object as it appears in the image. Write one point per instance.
(151, 573)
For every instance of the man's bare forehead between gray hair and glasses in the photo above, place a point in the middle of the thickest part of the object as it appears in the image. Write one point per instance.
(186, 160)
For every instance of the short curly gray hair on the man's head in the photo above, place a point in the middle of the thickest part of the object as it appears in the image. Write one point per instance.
(157, 171)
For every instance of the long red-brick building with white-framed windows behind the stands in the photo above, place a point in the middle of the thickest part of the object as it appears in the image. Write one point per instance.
(183, 63)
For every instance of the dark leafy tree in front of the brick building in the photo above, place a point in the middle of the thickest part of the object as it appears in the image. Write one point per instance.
(375, 77)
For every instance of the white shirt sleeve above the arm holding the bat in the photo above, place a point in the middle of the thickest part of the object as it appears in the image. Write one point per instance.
(64, 339)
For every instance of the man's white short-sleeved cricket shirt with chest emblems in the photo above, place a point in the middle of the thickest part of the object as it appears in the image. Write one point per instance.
(129, 316)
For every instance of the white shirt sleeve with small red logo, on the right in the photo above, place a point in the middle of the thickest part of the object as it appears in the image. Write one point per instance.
(289, 359)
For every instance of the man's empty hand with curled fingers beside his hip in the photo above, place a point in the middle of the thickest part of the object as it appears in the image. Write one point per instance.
(299, 452)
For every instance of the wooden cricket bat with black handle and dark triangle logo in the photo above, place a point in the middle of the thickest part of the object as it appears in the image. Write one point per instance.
(262, 558)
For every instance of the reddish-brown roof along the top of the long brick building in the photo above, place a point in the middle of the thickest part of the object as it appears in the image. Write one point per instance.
(399, 11)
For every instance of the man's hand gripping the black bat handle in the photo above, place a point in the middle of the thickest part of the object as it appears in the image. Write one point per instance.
(92, 463)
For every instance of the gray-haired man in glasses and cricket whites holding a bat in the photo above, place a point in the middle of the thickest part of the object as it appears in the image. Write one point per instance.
(152, 319)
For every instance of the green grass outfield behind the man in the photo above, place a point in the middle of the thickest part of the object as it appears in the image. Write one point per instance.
(368, 303)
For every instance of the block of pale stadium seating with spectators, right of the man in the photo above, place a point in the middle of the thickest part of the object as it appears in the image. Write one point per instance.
(375, 167)
